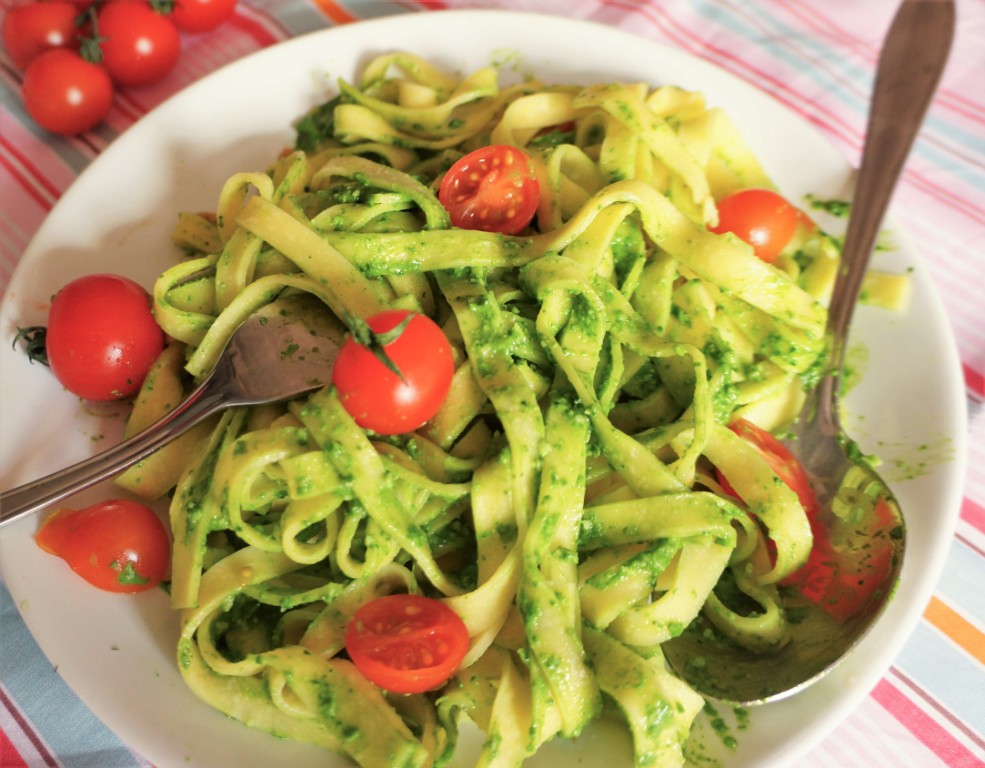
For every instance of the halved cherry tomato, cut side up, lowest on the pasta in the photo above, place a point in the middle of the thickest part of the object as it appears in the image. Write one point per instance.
(406, 643)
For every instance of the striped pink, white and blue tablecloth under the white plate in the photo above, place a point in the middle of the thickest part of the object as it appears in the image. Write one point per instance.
(817, 57)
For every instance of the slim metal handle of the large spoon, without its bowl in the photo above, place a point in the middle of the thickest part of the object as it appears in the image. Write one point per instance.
(909, 69)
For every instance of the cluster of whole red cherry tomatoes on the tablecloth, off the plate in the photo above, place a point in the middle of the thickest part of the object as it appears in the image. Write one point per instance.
(74, 52)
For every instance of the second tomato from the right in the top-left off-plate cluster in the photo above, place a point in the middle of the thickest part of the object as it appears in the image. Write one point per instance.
(141, 46)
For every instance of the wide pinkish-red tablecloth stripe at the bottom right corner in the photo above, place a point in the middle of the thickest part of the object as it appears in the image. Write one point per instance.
(924, 727)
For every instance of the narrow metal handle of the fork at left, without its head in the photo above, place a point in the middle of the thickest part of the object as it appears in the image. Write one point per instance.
(32, 497)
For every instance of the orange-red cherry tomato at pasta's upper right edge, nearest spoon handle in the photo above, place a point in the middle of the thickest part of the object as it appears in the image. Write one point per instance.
(761, 218)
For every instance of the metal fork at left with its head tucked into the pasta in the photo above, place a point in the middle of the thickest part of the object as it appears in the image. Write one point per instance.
(275, 355)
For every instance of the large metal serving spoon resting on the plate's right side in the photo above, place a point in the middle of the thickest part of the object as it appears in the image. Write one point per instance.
(858, 510)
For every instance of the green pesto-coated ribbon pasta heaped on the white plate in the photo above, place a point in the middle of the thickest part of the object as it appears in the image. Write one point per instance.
(564, 501)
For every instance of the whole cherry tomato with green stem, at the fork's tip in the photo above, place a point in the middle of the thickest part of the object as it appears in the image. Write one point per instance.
(379, 399)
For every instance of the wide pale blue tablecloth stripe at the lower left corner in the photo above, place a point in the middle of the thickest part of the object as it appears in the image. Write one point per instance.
(62, 721)
